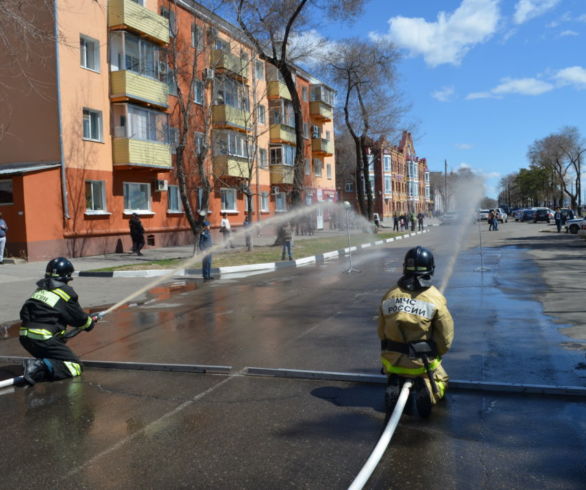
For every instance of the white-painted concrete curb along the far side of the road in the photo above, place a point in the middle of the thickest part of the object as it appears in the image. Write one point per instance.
(260, 268)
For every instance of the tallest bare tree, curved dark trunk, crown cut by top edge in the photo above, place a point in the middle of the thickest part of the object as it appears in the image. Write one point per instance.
(270, 25)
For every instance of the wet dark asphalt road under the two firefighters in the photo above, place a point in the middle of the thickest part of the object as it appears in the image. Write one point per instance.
(136, 429)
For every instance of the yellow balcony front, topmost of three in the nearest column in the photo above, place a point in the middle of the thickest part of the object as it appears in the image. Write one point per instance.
(126, 14)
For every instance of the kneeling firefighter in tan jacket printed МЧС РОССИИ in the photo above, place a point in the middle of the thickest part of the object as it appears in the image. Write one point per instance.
(415, 328)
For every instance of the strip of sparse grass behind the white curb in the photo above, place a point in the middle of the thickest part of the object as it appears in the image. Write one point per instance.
(239, 256)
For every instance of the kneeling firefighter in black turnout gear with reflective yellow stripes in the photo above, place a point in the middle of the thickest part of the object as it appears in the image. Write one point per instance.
(45, 317)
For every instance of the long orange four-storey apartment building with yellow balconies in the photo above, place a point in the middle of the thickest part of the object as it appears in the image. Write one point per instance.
(90, 134)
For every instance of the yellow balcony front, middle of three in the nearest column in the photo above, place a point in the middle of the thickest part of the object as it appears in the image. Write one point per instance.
(127, 85)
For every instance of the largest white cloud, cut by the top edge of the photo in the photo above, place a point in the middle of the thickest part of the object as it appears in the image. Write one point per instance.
(450, 37)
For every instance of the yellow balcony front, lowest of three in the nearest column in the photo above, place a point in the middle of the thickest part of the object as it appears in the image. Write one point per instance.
(127, 152)
